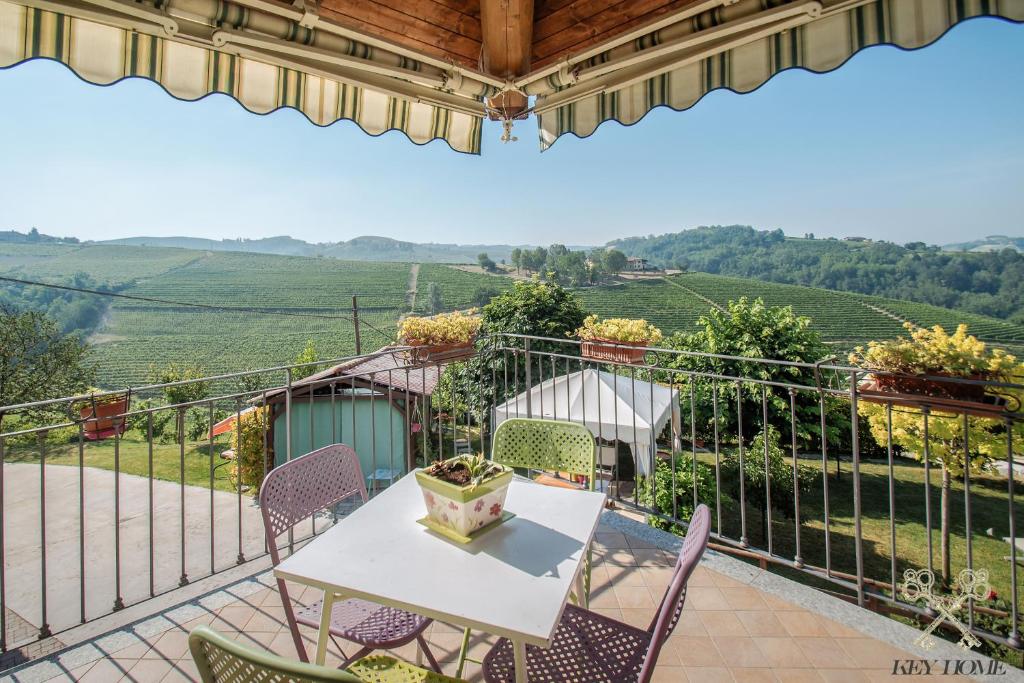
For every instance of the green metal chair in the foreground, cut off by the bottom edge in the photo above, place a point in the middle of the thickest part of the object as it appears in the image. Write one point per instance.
(221, 660)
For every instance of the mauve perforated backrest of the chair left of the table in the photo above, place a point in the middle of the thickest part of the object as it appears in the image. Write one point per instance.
(308, 485)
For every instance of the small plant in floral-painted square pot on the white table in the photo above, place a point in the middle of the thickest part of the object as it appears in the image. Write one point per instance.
(464, 494)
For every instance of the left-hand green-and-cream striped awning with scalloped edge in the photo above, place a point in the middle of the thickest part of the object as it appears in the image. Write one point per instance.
(267, 60)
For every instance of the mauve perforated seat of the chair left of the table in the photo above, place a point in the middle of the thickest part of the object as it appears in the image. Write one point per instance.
(367, 623)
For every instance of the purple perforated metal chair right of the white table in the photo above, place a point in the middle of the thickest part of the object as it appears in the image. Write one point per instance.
(590, 648)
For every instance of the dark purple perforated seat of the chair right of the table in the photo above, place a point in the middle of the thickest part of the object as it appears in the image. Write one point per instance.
(587, 649)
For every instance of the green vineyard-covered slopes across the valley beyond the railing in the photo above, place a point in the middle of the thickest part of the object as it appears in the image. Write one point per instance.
(277, 304)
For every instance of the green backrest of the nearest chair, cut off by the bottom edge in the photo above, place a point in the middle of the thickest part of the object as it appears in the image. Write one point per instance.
(223, 661)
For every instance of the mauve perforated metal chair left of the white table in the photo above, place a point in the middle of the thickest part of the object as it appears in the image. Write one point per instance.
(293, 493)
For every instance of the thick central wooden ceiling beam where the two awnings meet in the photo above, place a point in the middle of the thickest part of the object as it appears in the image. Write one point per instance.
(508, 37)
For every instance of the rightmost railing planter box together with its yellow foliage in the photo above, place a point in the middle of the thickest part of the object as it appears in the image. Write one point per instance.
(926, 367)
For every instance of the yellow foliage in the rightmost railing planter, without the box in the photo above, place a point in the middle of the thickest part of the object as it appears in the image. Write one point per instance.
(934, 352)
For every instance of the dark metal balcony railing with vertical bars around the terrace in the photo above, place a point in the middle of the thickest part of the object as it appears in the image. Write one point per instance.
(91, 527)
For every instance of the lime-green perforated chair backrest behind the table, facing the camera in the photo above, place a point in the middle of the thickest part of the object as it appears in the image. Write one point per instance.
(546, 445)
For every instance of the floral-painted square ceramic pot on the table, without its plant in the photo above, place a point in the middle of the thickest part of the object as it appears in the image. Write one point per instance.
(464, 509)
